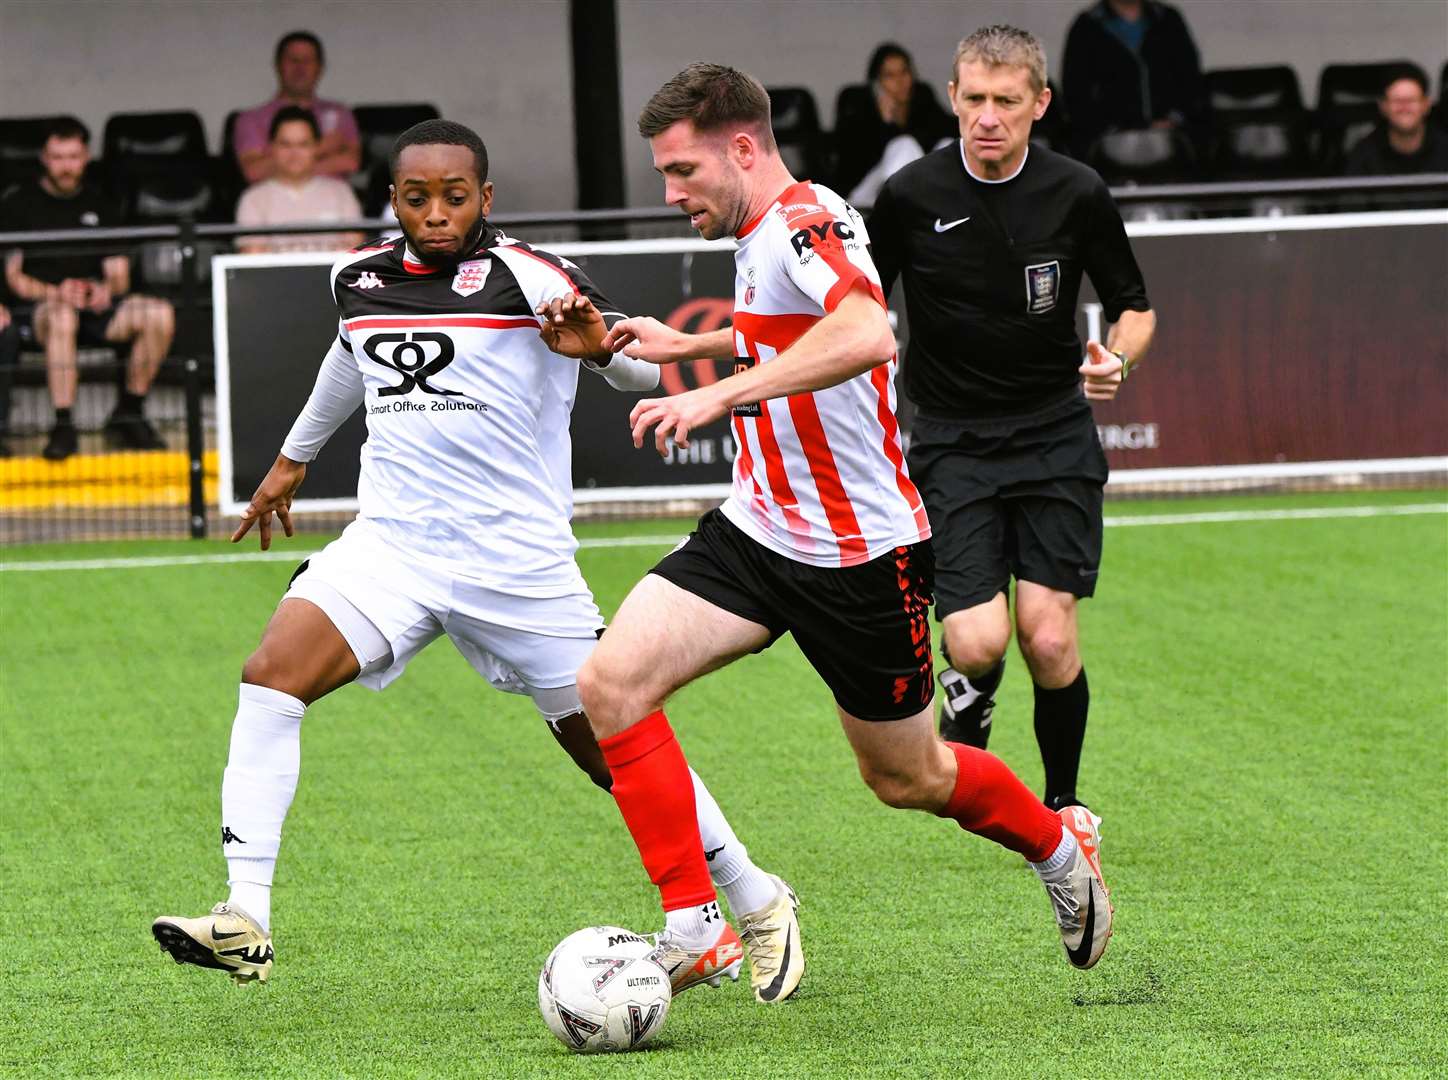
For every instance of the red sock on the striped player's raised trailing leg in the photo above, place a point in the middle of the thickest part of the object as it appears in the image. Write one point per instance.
(990, 800)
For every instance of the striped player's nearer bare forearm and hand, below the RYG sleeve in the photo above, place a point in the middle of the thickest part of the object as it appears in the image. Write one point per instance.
(852, 339)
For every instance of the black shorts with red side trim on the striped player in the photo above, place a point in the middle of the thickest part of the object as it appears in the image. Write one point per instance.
(864, 629)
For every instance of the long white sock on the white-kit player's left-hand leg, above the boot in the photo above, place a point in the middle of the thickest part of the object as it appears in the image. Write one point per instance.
(257, 793)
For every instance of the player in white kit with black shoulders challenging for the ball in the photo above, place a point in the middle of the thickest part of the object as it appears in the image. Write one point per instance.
(451, 338)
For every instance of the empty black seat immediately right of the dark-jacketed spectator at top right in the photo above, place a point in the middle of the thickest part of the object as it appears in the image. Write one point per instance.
(1260, 130)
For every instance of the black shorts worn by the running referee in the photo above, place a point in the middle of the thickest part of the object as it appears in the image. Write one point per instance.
(1023, 503)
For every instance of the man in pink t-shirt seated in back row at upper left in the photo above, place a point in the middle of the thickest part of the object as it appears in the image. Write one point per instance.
(300, 62)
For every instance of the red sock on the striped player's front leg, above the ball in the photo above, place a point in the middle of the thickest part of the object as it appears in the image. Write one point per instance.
(655, 794)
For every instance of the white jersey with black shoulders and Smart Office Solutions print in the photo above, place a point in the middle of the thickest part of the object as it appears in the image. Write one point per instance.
(468, 458)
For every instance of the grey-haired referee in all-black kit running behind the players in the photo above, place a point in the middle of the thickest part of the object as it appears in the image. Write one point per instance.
(991, 238)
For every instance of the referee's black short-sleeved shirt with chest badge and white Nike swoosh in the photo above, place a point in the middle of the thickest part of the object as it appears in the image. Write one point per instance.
(993, 273)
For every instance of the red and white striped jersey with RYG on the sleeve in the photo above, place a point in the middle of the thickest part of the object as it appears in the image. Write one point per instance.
(819, 477)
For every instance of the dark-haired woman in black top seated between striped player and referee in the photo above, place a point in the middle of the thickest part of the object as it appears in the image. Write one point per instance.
(885, 125)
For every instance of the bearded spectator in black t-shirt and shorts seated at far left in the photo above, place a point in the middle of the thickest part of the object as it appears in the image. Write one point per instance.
(77, 296)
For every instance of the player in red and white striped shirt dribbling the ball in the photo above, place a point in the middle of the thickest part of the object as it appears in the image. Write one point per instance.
(823, 536)
